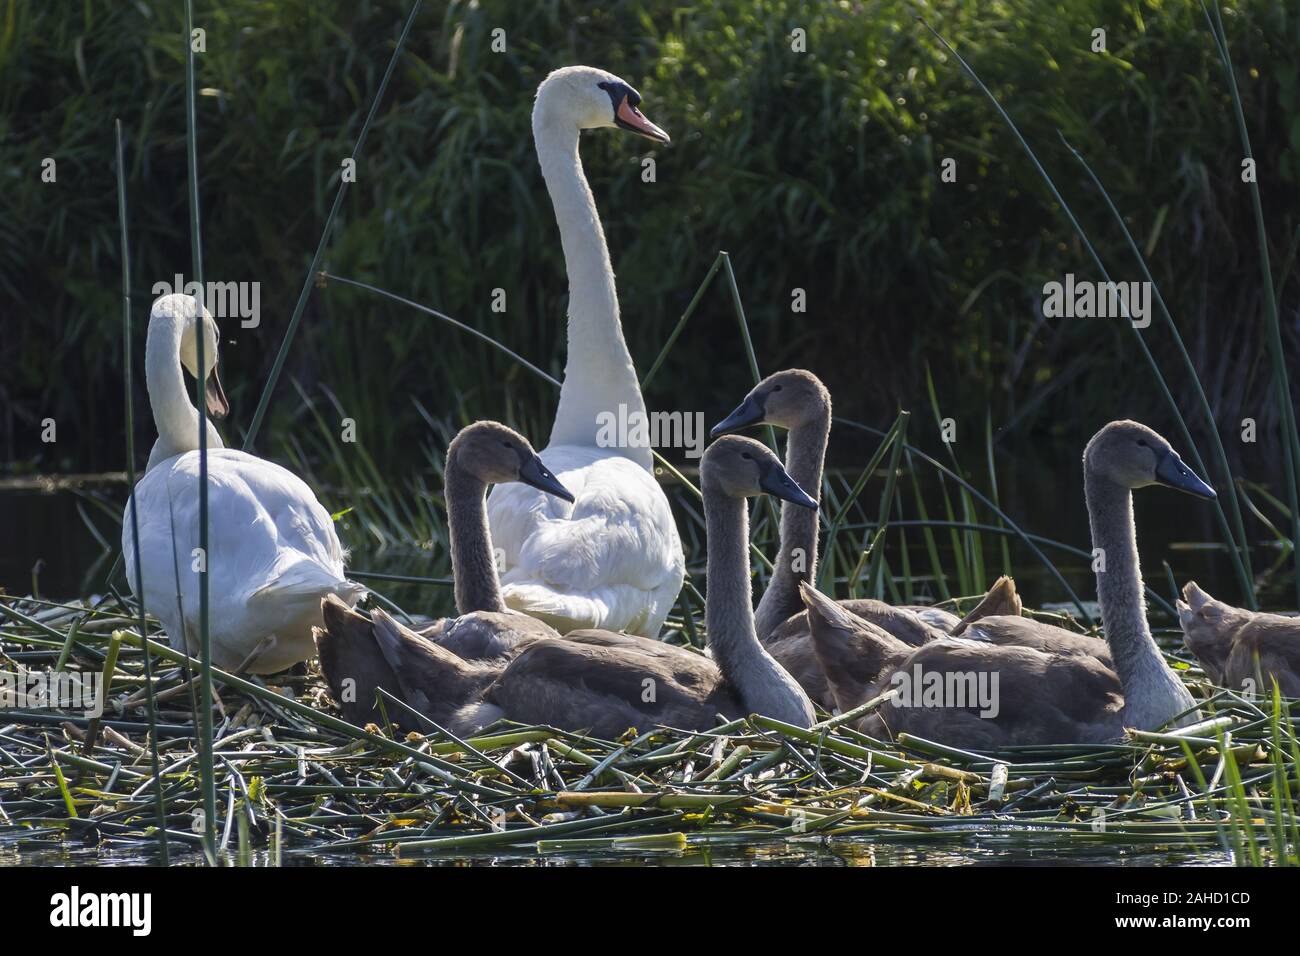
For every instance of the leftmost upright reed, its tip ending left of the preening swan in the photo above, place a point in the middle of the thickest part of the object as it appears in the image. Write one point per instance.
(131, 481)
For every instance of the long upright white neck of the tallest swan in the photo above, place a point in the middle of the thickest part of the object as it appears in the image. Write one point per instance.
(599, 377)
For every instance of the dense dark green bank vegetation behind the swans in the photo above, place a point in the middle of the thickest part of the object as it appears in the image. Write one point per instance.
(814, 171)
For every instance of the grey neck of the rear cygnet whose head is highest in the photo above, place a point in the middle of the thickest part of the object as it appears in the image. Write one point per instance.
(796, 561)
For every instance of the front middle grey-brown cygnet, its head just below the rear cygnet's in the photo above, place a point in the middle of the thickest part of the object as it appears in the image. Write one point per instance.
(605, 684)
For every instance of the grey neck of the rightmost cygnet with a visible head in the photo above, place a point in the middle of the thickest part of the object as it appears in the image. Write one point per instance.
(1152, 693)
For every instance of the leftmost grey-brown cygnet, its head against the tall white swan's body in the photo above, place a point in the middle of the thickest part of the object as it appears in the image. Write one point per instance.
(440, 672)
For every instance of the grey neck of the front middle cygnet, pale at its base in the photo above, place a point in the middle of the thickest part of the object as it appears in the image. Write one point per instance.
(761, 684)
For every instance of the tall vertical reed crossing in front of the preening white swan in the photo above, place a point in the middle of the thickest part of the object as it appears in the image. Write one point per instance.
(192, 140)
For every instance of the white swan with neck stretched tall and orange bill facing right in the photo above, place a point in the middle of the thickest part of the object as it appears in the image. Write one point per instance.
(613, 559)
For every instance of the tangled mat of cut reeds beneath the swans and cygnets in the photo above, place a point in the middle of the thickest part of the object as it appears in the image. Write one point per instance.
(294, 778)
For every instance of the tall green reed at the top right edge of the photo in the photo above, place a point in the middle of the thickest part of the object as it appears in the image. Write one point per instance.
(1282, 386)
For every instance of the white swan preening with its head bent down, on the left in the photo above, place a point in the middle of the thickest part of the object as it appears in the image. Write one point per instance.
(272, 550)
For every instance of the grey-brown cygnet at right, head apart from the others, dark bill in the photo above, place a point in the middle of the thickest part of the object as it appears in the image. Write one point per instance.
(1051, 687)
